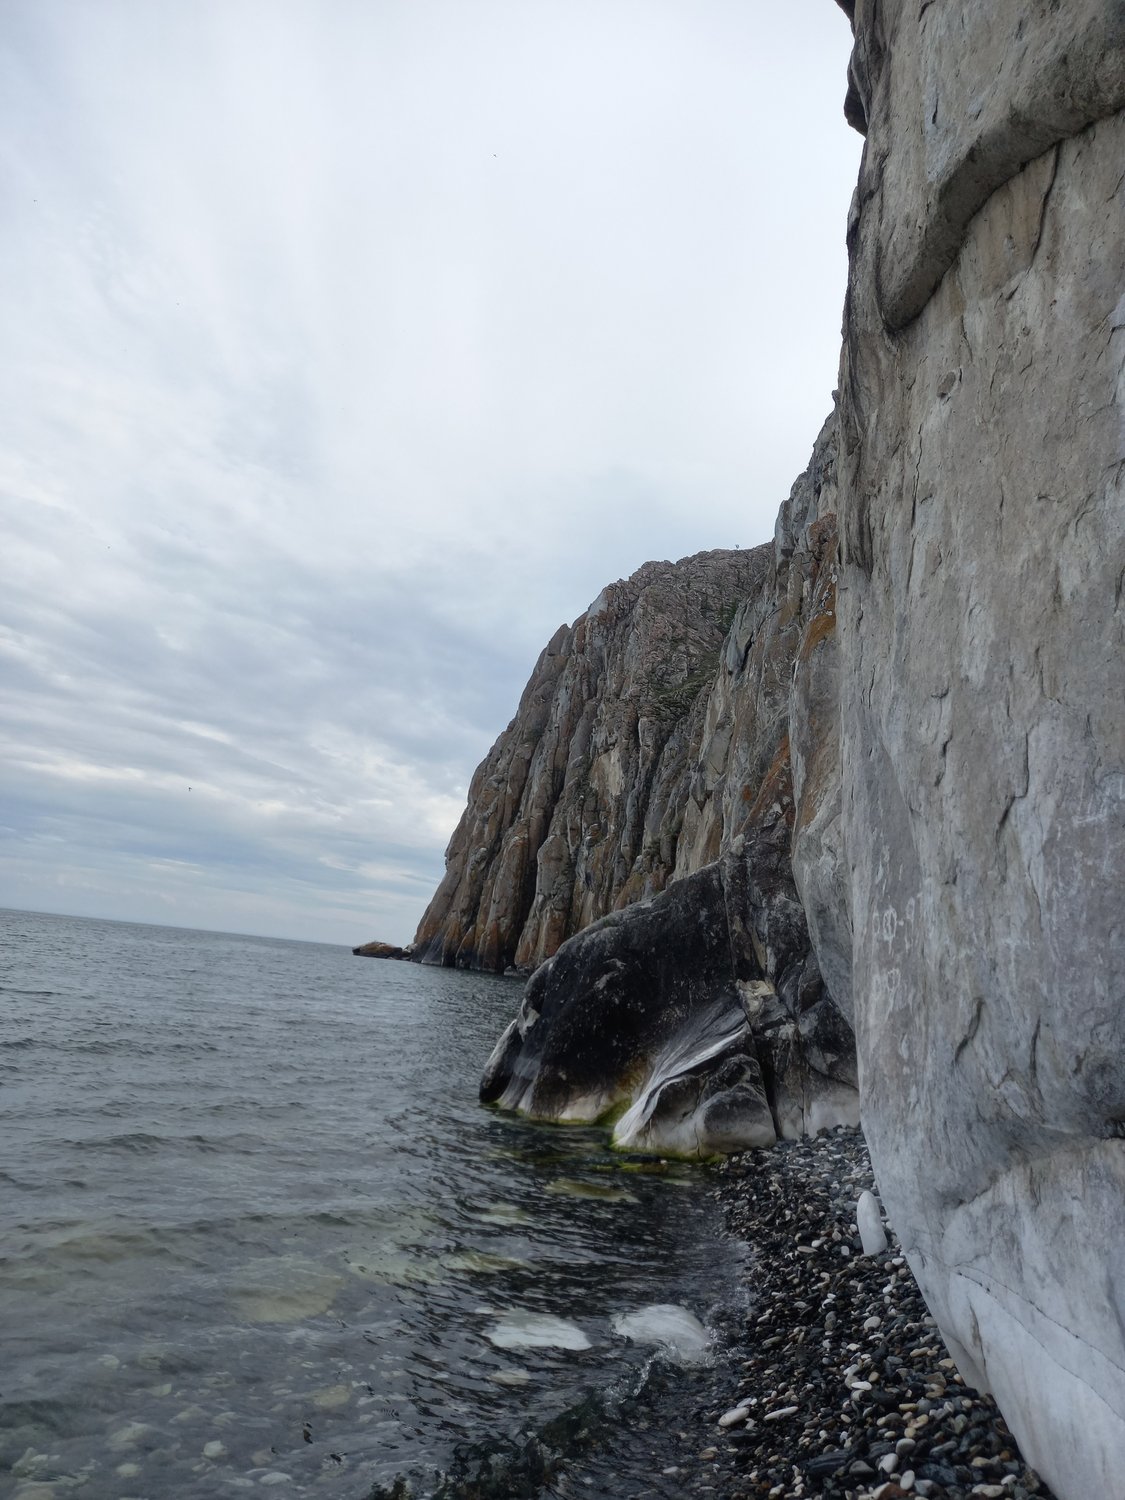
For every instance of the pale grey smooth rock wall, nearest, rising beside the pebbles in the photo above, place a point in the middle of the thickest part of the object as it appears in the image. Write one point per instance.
(983, 694)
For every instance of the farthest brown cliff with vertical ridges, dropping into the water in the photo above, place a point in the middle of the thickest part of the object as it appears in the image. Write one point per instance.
(578, 808)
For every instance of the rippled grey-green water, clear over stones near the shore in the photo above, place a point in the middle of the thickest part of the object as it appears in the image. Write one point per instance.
(257, 1234)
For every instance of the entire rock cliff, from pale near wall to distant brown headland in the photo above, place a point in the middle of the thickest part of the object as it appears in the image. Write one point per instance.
(856, 850)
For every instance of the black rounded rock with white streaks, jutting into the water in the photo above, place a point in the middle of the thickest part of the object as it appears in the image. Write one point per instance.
(697, 1021)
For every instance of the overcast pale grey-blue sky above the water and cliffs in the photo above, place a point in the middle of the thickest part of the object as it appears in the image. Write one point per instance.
(349, 349)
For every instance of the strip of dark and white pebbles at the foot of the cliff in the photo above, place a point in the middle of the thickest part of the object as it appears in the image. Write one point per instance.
(842, 1388)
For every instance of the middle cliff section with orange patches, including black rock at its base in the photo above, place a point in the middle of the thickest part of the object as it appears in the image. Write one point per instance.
(698, 1019)
